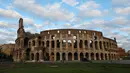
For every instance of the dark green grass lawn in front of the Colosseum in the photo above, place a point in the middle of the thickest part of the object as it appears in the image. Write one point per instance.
(66, 68)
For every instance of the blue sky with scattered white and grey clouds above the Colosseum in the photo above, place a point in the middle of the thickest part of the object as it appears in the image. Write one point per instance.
(109, 16)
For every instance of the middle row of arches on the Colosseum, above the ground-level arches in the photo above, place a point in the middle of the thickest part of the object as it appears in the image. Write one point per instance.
(81, 43)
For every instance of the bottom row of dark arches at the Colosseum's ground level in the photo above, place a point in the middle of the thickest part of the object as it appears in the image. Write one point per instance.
(73, 56)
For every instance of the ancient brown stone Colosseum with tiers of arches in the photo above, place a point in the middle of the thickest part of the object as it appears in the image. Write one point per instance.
(63, 44)
